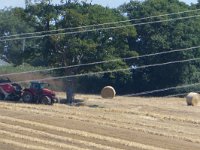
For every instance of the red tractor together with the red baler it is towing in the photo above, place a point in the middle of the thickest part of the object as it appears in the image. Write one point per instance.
(35, 93)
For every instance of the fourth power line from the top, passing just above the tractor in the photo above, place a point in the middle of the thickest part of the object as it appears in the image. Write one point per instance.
(113, 71)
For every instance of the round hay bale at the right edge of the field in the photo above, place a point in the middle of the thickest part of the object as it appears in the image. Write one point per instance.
(192, 99)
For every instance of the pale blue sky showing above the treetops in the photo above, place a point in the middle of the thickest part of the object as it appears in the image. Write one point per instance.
(109, 3)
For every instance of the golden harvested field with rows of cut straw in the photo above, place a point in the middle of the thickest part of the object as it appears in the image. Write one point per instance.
(94, 123)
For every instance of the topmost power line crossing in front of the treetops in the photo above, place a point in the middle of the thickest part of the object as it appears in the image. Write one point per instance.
(96, 25)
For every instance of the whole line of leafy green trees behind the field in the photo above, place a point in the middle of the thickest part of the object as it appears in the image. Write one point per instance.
(92, 43)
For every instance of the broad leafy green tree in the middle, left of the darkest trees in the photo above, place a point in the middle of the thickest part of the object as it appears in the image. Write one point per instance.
(98, 45)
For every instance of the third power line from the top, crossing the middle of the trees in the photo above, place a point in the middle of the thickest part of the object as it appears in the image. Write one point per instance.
(101, 62)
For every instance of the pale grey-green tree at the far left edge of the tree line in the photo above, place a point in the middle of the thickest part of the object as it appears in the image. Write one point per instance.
(11, 23)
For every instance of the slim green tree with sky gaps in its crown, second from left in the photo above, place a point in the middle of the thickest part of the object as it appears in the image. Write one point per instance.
(42, 16)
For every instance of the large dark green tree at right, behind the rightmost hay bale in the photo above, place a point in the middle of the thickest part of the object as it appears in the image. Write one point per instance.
(164, 36)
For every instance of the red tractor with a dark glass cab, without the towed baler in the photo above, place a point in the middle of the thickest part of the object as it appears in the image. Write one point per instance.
(37, 93)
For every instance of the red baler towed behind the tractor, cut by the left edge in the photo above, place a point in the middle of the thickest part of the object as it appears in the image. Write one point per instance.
(9, 90)
